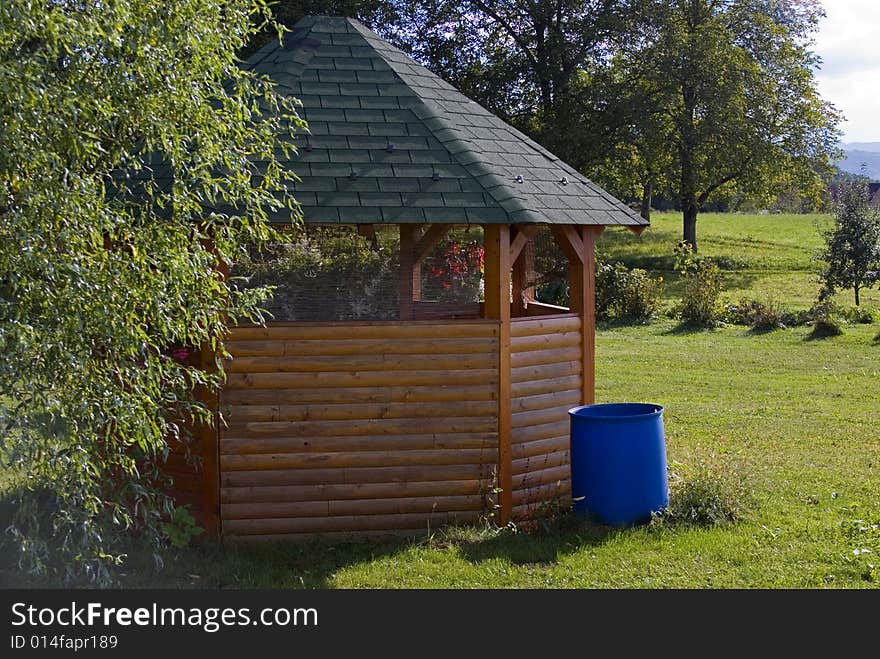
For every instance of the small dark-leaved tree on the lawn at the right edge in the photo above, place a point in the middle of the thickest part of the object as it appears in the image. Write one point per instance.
(852, 245)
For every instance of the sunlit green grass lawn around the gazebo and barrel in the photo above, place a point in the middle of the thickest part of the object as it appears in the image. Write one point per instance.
(796, 419)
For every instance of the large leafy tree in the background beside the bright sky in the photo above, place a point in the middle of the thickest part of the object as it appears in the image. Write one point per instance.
(735, 79)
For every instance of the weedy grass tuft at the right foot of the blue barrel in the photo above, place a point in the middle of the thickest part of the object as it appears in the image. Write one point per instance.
(705, 495)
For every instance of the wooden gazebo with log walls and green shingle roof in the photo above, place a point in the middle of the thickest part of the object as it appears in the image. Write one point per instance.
(446, 413)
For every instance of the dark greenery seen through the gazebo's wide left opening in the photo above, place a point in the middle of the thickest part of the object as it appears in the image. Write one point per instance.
(326, 273)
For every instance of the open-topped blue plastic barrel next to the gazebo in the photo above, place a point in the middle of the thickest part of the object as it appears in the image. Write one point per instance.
(618, 462)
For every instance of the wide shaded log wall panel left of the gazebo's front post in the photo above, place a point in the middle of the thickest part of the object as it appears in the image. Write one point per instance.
(358, 428)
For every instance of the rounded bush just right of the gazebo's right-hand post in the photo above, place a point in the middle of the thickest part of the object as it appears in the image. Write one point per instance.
(627, 295)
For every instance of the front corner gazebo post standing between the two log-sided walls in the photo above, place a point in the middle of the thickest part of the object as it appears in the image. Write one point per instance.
(497, 306)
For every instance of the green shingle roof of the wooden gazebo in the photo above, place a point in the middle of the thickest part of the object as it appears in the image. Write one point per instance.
(390, 142)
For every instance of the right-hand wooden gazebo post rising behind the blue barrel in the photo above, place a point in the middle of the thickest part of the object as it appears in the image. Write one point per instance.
(579, 244)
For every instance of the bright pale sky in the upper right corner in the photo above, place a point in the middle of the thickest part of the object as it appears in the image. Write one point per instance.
(848, 42)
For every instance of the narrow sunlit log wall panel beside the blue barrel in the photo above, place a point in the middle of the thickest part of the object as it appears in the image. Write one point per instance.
(547, 381)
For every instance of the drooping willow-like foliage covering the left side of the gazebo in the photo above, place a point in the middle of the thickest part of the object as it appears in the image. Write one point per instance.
(124, 124)
